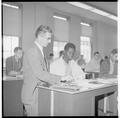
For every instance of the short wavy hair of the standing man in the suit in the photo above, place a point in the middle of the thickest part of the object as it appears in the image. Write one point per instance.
(43, 29)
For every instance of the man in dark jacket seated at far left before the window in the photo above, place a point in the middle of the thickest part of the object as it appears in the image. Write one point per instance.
(14, 63)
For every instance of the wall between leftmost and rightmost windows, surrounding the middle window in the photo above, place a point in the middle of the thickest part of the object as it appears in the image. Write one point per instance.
(36, 14)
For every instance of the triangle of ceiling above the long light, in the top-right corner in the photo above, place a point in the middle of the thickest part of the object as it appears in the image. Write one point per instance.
(110, 7)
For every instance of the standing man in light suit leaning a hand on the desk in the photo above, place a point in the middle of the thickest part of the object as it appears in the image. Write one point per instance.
(35, 70)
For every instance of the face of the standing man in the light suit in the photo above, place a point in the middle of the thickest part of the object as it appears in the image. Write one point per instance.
(44, 39)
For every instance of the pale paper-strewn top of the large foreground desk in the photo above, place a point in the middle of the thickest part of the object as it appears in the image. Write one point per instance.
(83, 85)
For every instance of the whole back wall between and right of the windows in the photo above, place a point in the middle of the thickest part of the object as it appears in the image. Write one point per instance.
(35, 14)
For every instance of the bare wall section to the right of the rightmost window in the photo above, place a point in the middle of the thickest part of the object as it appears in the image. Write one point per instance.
(106, 38)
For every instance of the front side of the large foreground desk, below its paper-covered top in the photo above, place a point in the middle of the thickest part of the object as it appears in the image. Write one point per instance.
(65, 102)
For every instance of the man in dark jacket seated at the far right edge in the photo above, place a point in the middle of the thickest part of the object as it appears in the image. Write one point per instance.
(109, 66)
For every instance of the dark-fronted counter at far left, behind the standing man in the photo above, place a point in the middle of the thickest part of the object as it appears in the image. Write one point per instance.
(12, 105)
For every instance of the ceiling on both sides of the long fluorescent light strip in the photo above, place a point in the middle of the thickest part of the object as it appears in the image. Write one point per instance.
(68, 8)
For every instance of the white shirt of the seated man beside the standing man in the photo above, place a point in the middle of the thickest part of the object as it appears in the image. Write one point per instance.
(61, 68)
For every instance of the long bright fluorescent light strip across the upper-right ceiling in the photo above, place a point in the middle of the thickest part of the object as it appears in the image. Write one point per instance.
(92, 9)
